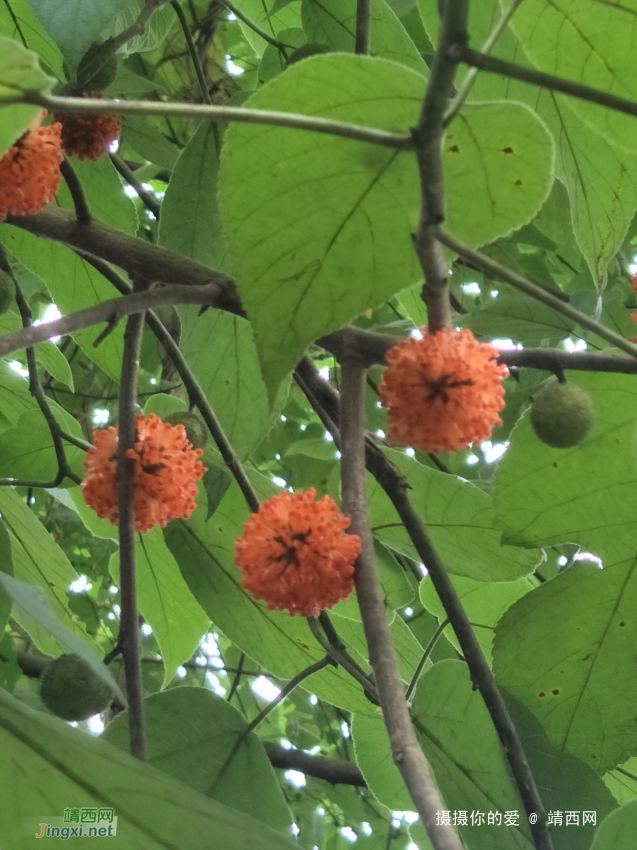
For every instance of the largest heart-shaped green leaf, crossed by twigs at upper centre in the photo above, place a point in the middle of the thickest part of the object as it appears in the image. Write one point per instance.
(304, 268)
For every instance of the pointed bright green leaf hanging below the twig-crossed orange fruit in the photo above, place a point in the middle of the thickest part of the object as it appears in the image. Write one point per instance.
(168, 606)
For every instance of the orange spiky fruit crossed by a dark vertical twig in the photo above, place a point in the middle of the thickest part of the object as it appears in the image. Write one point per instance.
(165, 471)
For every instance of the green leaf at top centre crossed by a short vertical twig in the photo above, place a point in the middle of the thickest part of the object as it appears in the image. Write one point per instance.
(333, 22)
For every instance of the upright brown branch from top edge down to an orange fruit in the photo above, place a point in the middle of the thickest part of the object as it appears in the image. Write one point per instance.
(428, 137)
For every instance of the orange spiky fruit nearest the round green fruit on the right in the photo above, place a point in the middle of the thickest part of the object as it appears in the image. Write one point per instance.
(443, 391)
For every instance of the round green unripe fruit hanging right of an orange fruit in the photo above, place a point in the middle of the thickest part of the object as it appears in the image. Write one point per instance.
(562, 415)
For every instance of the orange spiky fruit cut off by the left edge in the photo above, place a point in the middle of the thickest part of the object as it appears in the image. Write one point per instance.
(30, 171)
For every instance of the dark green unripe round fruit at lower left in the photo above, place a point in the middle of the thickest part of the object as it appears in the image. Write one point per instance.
(70, 689)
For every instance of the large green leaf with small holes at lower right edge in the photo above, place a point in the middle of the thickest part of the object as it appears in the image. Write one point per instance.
(563, 648)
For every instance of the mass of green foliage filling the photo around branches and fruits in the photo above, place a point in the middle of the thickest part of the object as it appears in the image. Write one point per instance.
(316, 232)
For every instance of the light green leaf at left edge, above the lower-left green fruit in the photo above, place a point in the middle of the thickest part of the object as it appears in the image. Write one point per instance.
(39, 561)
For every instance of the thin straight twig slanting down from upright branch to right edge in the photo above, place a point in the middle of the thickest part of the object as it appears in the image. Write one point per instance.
(490, 266)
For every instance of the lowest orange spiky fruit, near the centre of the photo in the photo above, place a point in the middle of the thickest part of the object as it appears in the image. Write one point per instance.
(295, 556)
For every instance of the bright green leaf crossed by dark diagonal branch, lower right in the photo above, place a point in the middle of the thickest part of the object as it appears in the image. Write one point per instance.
(484, 603)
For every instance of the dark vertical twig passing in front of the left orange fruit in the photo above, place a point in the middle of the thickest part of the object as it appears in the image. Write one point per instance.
(128, 640)
